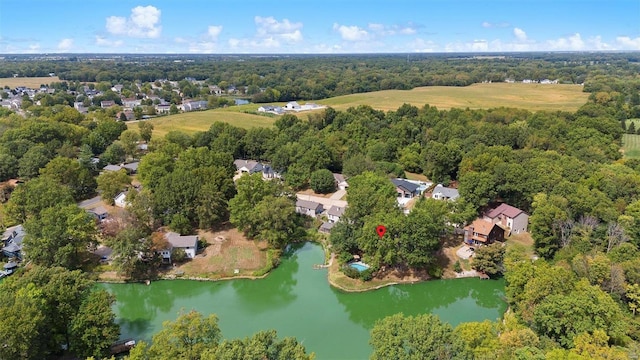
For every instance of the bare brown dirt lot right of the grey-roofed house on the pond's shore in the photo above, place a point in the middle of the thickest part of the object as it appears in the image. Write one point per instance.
(228, 253)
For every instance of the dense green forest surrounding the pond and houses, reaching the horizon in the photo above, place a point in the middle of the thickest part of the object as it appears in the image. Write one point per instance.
(579, 300)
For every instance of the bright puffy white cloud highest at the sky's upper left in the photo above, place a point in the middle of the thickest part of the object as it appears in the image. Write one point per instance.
(143, 22)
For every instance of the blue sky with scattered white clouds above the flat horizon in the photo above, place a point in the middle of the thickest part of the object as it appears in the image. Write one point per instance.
(311, 26)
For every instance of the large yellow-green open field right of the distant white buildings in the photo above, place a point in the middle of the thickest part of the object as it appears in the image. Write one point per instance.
(534, 97)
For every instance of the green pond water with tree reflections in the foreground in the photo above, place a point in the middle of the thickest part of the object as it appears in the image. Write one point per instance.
(297, 300)
